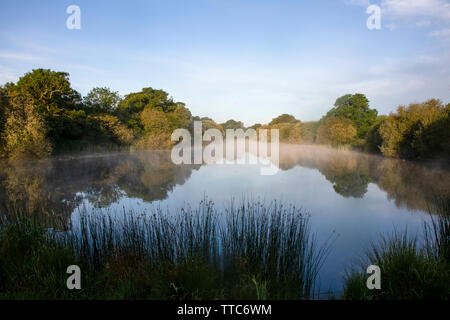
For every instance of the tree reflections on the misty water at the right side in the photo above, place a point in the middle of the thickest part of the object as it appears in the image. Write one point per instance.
(411, 185)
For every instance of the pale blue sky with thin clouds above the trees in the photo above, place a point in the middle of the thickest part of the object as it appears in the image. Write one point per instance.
(241, 59)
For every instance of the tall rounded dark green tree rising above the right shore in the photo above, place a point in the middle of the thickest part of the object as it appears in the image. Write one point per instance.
(355, 108)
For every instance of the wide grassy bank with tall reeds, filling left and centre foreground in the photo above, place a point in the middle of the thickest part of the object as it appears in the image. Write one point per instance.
(250, 251)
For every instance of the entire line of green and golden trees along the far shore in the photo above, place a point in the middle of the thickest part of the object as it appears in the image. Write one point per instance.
(41, 114)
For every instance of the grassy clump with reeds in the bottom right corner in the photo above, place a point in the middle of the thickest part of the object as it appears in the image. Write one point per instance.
(410, 269)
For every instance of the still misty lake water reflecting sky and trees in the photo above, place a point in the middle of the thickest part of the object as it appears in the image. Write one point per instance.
(356, 196)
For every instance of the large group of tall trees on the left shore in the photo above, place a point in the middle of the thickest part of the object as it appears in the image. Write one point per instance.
(41, 114)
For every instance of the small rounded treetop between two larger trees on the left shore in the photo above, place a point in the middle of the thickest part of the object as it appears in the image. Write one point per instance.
(101, 100)
